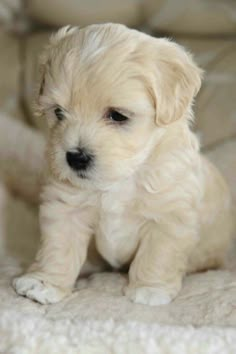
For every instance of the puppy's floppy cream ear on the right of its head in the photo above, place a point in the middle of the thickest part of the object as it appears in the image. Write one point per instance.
(175, 82)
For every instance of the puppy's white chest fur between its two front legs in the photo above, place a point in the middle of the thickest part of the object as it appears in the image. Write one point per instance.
(117, 228)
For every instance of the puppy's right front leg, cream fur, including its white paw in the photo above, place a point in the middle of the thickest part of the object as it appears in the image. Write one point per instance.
(155, 275)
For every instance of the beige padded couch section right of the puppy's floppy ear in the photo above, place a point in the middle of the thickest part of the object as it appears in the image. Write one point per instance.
(216, 103)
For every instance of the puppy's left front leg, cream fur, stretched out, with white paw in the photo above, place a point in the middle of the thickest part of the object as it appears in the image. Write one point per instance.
(65, 237)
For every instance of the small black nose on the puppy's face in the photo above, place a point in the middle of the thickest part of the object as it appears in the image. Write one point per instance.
(79, 159)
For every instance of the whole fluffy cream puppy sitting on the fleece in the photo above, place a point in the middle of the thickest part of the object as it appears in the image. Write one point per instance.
(124, 167)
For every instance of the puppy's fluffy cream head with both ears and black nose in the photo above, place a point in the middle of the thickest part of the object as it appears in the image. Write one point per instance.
(109, 93)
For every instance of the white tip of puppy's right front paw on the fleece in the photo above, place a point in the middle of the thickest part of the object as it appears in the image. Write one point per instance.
(148, 295)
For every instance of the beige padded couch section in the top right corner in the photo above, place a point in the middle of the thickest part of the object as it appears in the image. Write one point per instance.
(192, 16)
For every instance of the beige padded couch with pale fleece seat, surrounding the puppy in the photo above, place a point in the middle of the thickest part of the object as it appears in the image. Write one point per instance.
(97, 318)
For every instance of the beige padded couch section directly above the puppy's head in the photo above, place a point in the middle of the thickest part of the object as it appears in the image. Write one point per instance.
(84, 12)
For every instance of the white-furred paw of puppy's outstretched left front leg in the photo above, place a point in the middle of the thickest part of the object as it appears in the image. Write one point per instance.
(38, 290)
